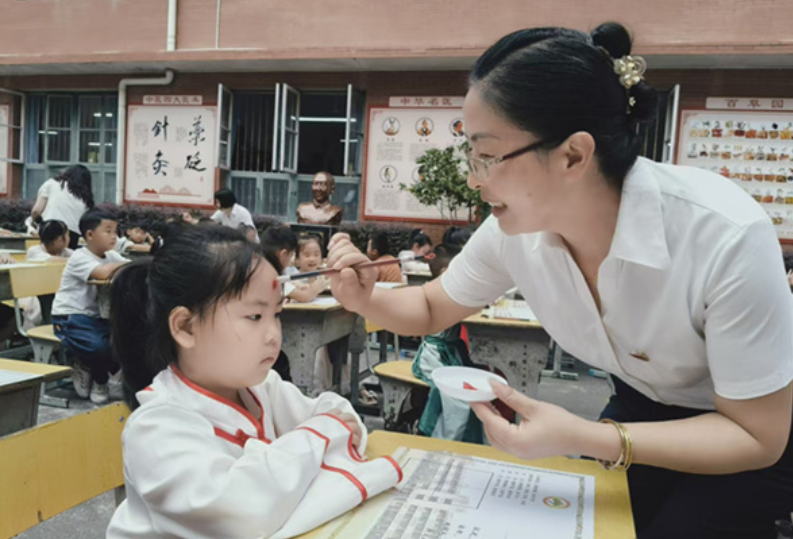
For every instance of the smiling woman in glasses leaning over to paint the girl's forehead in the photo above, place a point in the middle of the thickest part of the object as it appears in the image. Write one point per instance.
(670, 278)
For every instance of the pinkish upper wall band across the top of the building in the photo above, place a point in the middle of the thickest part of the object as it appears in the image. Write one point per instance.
(44, 31)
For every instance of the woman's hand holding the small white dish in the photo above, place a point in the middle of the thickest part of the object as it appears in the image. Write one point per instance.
(545, 430)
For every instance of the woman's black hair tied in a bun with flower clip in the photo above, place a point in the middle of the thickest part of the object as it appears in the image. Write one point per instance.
(554, 82)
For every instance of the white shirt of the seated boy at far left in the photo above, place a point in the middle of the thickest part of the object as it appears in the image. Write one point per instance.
(75, 295)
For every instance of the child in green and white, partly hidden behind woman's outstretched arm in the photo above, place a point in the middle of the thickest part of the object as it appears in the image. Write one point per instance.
(445, 417)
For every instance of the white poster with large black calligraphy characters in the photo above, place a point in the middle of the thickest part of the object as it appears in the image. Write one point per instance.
(171, 155)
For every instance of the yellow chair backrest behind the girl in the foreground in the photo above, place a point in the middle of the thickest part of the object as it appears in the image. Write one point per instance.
(56, 466)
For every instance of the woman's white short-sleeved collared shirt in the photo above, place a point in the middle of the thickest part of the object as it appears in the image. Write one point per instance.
(694, 281)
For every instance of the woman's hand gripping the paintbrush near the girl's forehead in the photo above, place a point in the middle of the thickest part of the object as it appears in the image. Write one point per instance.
(351, 287)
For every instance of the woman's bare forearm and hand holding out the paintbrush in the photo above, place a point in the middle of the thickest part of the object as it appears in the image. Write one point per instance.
(410, 310)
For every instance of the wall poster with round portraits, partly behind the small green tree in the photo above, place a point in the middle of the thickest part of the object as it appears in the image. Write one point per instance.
(397, 137)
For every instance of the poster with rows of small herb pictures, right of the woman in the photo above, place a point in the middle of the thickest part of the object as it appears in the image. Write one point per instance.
(753, 149)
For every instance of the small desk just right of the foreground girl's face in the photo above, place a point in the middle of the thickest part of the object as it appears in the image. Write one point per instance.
(305, 328)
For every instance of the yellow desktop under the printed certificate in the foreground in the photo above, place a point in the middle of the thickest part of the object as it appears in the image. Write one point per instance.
(613, 517)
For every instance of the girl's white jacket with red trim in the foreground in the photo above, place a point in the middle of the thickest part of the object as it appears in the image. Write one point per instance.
(198, 466)
